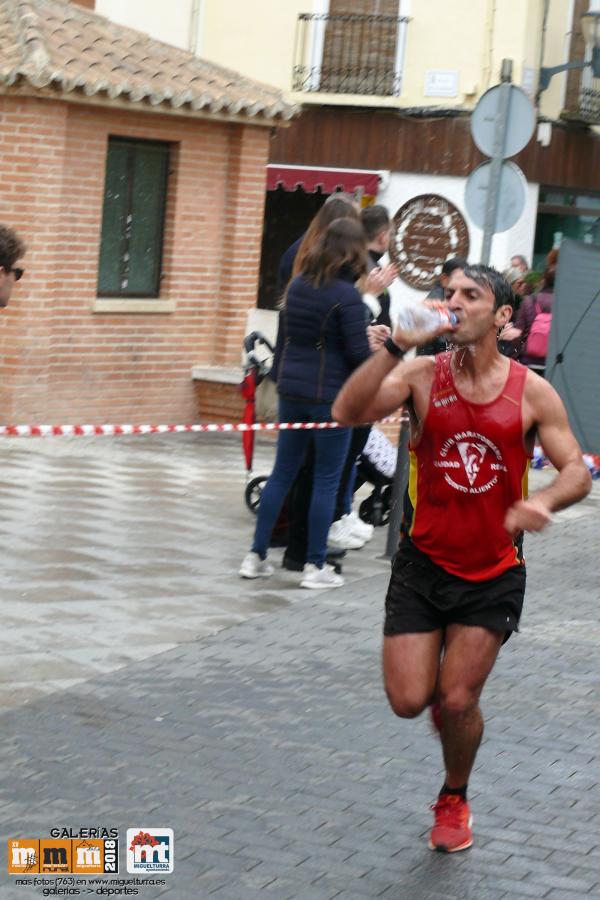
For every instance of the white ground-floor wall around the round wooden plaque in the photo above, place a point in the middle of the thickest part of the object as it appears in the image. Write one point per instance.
(403, 187)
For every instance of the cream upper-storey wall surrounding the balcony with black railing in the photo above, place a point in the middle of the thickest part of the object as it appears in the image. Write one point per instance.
(464, 38)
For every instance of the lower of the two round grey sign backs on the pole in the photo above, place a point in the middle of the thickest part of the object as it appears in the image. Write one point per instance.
(511, 195)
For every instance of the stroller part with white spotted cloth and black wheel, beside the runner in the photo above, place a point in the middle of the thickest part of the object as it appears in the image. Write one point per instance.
(377, 464)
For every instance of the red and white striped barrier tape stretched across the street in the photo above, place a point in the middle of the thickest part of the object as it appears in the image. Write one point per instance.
(114, 430)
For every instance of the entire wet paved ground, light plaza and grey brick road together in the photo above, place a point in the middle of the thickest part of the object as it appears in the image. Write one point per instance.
(140, 687)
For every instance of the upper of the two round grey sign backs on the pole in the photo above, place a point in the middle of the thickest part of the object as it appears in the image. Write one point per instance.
(520, 121)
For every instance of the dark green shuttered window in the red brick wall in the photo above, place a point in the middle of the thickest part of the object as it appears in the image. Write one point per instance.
(133, 218)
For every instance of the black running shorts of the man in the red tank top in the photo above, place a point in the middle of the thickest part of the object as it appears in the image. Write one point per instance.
(424, 597)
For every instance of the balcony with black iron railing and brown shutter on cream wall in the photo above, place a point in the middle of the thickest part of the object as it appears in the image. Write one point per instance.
(349, 54)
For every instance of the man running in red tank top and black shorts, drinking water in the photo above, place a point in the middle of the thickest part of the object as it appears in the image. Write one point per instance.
(458, 578)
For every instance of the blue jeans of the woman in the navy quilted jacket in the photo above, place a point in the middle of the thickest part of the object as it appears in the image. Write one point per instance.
(331, 448)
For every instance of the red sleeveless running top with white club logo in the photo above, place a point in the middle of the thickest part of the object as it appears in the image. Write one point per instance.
(468, 468)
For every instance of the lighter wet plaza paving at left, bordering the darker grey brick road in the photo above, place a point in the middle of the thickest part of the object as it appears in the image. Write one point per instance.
(115, 549)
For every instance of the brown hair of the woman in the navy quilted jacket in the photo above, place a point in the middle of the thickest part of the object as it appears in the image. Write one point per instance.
(343, 246)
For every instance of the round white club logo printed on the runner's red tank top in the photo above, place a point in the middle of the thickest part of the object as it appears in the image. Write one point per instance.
(471, 462)
